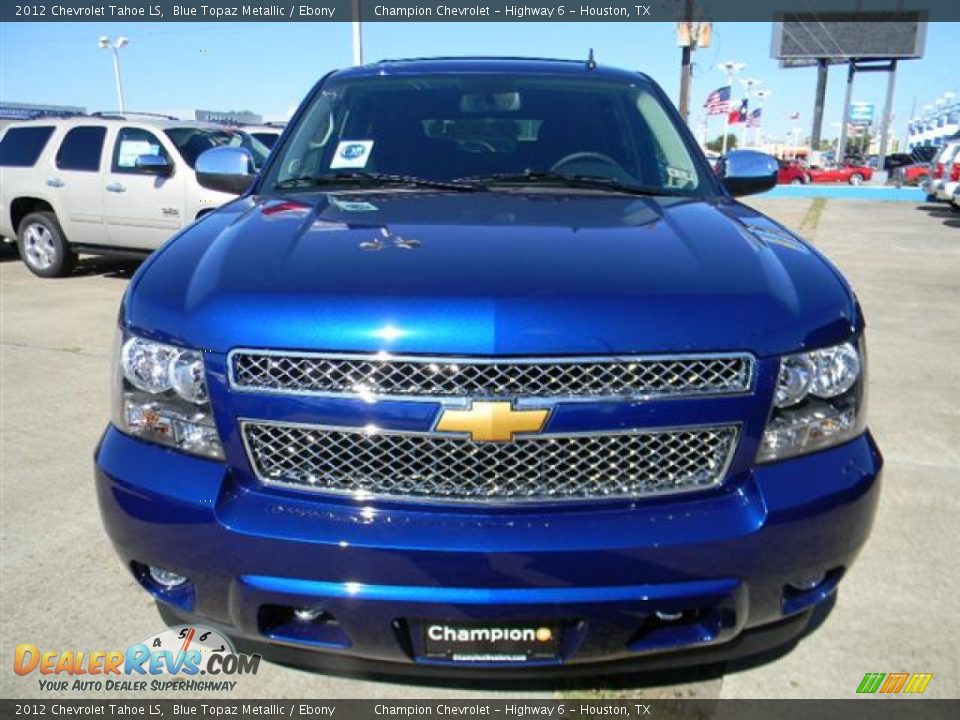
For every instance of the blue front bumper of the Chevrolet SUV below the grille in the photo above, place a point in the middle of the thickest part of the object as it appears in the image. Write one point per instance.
(724, 557)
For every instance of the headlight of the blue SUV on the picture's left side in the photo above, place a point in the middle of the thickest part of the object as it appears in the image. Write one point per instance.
(160, 394)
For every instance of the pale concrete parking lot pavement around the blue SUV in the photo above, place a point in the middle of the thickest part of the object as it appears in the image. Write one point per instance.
(62, 588)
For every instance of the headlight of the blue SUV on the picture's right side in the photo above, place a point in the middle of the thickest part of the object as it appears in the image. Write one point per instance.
(820, 401)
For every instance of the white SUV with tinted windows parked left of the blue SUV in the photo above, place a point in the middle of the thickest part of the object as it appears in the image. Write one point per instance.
(104, 184)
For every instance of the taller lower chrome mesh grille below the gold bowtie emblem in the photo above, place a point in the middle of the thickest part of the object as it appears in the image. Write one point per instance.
(534, 468)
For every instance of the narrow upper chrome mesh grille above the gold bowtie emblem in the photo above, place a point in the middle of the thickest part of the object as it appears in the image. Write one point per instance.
(590, 378)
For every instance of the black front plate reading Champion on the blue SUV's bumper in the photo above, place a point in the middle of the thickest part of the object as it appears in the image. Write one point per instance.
(491, 641)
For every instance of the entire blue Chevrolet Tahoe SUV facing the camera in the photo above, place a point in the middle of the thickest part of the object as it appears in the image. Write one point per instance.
(486, 371)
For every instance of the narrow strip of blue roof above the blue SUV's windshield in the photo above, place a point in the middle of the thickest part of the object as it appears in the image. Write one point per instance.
(505, 65)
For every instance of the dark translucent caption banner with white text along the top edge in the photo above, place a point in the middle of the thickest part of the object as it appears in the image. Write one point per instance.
(451, 10)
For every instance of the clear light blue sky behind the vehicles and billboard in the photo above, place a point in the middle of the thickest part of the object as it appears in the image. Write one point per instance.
(269, 67)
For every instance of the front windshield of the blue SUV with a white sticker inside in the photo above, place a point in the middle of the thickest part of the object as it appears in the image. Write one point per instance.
(492, 129)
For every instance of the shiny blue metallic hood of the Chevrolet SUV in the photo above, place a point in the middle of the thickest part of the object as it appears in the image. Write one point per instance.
(490, 273)
